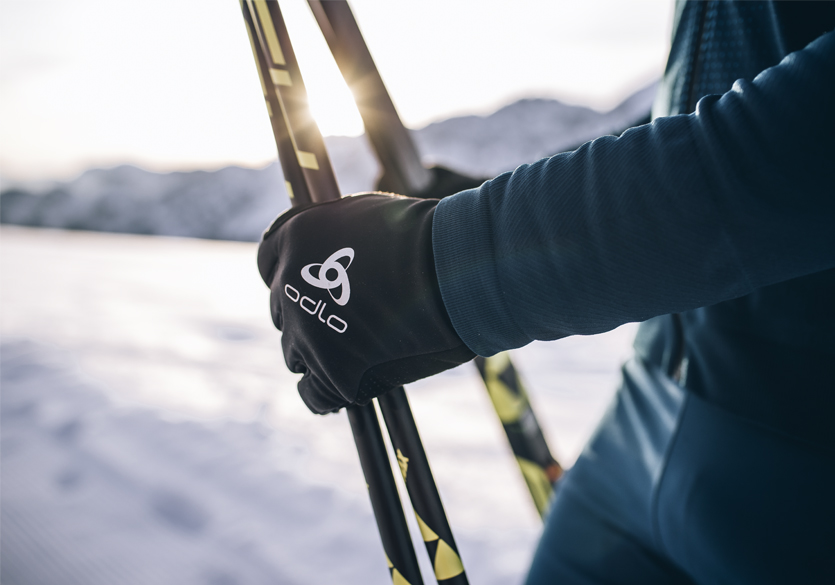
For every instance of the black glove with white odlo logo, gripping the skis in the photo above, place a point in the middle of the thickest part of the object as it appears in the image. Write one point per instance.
(355, 292)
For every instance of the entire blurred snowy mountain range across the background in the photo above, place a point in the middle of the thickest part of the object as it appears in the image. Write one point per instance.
(235, 203)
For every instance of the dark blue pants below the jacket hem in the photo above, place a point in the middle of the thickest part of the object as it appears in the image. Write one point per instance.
(672, 489)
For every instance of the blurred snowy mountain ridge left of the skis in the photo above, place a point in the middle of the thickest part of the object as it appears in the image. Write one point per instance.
(229, 204)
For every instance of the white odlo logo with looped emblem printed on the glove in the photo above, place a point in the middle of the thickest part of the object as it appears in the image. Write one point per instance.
(330, 267)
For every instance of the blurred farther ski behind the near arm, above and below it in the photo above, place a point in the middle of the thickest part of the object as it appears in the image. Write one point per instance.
(403, 168)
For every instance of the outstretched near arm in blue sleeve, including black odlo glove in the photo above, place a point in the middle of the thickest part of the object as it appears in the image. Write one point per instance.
(377, 291)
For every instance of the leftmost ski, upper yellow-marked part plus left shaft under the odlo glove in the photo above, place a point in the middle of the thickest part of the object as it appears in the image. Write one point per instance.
(277, 69)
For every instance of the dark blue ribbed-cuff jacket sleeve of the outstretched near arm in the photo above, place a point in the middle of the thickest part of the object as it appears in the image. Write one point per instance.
(682, 213)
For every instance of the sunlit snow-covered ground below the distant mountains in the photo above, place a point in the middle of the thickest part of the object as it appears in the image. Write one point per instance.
(151, 433)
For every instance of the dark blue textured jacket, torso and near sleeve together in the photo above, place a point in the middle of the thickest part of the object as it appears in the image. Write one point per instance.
(722, 211)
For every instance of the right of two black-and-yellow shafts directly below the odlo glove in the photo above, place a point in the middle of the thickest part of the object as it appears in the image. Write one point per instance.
(423, 492)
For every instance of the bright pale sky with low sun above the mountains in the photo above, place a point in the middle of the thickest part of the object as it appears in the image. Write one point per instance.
(170, 84)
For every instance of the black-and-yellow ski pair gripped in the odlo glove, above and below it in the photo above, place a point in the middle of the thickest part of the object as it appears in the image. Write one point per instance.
(310, 178)
